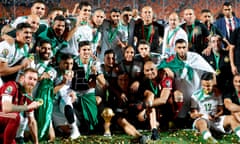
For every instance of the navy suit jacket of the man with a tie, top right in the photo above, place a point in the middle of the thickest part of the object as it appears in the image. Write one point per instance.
(221, 25)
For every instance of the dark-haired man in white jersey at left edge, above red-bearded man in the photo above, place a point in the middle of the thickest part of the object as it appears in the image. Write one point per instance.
(13, 53)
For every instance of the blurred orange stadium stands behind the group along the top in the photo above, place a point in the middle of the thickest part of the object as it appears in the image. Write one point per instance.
(11, 9)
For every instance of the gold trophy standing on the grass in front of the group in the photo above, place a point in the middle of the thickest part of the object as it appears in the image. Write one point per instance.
(107, 115)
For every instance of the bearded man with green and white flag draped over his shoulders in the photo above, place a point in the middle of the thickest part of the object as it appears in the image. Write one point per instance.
(188, 68)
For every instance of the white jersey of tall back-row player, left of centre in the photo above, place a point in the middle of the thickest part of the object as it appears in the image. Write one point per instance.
(83, 33)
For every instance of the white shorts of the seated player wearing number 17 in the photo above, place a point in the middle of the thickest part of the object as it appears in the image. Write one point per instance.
(215, 125)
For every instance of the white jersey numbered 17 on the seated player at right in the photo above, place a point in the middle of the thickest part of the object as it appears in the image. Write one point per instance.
(206, 103)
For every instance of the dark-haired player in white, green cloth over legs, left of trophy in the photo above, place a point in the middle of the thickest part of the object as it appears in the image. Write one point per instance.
(87, 74)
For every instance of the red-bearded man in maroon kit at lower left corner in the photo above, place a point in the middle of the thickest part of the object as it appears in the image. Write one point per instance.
(16, 98)
